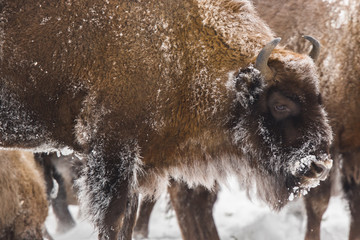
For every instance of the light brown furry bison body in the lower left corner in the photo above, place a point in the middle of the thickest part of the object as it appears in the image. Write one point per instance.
(24, 206)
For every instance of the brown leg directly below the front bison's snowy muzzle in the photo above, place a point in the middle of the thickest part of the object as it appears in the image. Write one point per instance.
(316, 203)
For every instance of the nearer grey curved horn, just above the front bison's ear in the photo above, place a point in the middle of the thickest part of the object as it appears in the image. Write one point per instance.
(262, 59)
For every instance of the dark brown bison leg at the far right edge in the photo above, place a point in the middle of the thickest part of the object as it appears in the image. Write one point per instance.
(351, 186)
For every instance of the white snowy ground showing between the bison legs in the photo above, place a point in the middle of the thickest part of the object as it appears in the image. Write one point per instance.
(236, 218)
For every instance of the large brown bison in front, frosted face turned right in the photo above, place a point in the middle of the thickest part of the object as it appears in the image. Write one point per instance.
(144, 90)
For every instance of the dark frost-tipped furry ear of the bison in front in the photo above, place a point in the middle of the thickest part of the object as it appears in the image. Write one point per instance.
(249, 85)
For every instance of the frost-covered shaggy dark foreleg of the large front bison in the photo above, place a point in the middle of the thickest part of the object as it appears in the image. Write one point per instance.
(107, 186)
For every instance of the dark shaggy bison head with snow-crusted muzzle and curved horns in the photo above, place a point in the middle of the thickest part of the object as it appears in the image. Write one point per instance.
(280, 123)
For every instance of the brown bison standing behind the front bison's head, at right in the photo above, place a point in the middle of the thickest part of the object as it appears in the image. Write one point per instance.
(338, 29)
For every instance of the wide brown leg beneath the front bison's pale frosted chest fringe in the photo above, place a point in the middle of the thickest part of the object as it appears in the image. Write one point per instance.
(193, 209)
